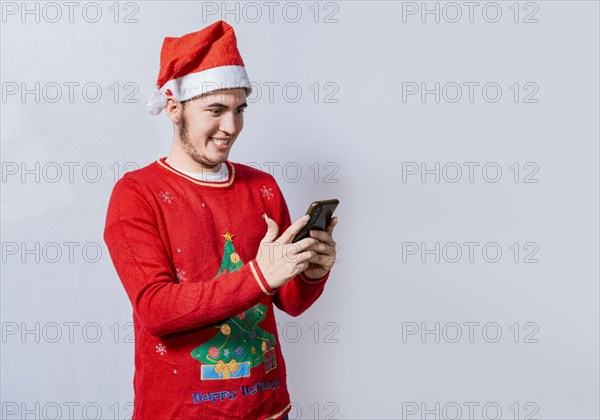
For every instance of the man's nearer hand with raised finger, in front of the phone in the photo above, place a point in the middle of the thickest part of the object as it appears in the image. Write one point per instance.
(279, 259)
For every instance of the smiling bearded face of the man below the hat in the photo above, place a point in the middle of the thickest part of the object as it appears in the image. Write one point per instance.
(210, 124)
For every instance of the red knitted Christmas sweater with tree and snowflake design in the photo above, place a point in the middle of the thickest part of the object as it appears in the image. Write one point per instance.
(206, 343)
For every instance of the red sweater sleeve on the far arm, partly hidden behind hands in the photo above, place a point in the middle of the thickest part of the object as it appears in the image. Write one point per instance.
(298, 294)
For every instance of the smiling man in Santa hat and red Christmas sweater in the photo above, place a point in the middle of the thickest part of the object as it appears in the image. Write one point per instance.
(187, 237)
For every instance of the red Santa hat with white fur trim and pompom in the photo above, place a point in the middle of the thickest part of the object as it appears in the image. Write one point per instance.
(198, 63)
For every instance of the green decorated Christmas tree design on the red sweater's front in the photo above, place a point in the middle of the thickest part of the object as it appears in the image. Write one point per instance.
(239, 343)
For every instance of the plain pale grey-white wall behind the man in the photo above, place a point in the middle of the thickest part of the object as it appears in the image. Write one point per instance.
(498, 157)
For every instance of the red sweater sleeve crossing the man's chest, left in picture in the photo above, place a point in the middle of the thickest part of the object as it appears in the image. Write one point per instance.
(162, 304)
